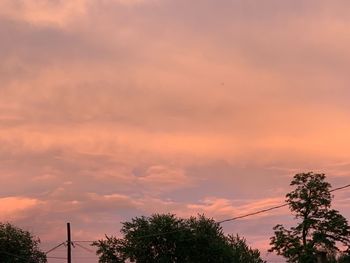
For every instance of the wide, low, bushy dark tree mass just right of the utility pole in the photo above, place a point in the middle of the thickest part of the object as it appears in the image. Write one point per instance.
(164, 238)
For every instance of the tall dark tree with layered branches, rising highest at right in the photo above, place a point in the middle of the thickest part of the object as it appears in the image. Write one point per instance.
(319, 229)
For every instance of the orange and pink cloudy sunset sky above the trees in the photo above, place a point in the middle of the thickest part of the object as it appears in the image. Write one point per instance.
(111, 109)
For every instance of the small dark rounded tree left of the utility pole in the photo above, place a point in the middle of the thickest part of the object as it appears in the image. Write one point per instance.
(19, 246)
